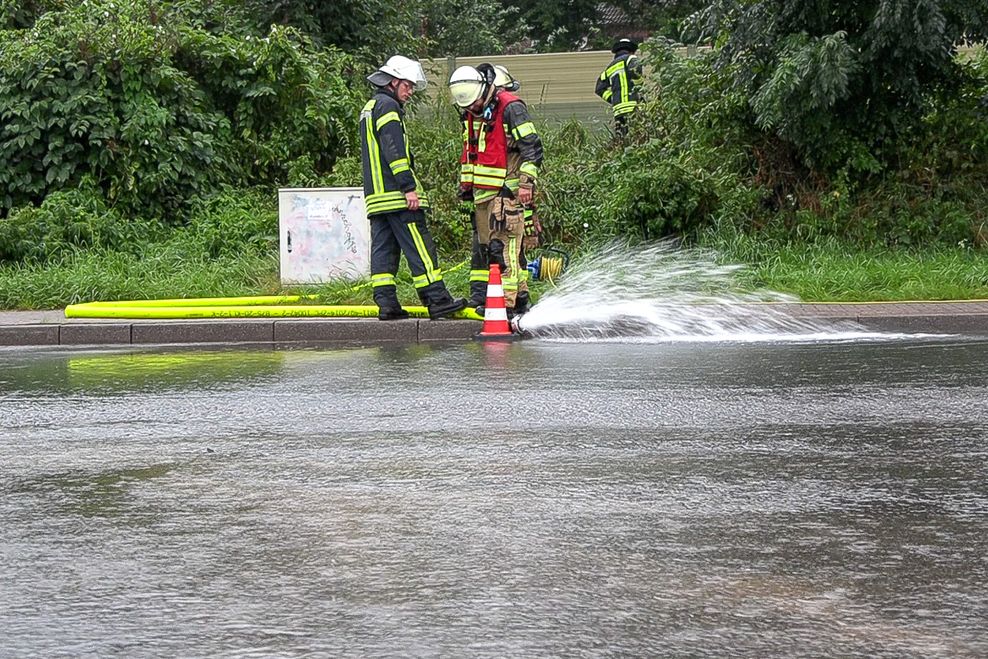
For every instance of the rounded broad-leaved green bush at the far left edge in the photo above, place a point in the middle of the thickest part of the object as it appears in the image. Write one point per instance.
(84, 92)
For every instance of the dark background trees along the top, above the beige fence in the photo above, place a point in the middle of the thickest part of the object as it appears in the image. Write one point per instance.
(435, 28)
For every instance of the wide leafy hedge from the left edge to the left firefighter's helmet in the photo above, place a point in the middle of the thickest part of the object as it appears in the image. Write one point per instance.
(157, 112)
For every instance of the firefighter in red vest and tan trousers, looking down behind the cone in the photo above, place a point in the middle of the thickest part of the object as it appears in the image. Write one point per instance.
(499, 166)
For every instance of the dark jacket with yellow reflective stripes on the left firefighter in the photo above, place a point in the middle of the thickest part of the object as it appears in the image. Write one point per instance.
(388, 167)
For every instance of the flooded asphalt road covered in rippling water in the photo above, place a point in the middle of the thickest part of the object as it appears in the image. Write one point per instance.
(528, 499)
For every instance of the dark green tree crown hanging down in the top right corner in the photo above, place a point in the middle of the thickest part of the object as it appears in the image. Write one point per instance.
(848, 84)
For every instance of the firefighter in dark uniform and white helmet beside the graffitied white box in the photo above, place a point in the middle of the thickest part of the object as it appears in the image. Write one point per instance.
(394, 196)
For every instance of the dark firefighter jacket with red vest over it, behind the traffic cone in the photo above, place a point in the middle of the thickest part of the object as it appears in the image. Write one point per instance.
(501, 149)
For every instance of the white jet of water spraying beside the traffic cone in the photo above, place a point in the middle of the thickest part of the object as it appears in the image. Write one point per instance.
(658, 291)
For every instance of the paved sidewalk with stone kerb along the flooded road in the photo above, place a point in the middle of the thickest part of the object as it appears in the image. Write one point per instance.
(52, 328)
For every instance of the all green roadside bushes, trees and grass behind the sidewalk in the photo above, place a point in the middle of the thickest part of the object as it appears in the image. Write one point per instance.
(841, 157)
